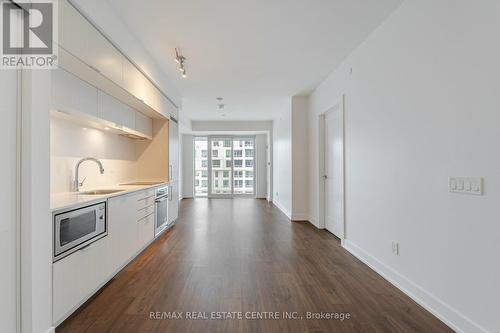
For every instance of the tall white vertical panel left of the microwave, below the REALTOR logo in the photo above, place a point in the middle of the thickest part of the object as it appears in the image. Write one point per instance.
(36, 223)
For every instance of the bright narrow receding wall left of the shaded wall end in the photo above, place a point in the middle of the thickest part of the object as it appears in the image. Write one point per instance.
(282, 160)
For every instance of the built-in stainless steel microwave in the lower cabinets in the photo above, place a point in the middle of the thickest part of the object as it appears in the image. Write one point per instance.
(78, 228)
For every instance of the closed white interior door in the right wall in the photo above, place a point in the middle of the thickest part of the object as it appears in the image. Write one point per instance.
(334, 170)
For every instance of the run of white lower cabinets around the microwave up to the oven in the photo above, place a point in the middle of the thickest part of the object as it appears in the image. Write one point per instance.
(77, 277)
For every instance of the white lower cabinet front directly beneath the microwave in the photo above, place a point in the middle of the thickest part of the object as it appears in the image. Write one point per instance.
(77, 276)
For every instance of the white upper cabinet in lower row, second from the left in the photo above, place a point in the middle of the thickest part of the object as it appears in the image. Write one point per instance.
(112, 110)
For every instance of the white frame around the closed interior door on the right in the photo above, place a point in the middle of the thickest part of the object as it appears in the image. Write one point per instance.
(339, 104)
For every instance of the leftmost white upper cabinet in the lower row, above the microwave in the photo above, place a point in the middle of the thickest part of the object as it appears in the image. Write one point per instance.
(70, 94)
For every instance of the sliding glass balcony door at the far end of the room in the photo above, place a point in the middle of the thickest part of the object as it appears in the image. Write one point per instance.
(224, 166)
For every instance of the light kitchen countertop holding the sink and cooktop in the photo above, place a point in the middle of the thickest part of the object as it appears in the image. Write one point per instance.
(71, 200)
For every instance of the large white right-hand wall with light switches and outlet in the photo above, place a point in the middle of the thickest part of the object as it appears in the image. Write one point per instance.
(422, 104)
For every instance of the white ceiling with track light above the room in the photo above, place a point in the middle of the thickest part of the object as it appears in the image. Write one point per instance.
(254, 53)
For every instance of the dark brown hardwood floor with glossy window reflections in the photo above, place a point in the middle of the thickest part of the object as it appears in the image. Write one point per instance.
(245, 256)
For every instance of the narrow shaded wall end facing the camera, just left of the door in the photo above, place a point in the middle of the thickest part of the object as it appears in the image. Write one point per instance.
(300, 158)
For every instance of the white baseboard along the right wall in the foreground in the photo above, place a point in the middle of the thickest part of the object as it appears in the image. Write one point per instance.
(447, 314)
